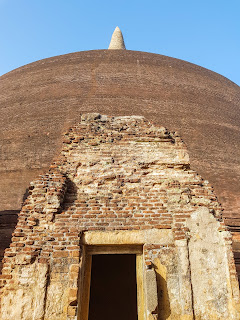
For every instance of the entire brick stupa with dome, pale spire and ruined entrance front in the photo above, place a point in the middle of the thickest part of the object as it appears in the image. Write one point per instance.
(99, 133)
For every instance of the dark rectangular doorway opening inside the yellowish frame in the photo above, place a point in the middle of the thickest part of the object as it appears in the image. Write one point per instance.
(113, 290)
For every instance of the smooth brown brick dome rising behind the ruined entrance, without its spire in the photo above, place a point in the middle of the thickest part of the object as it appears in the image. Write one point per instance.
(39, 101)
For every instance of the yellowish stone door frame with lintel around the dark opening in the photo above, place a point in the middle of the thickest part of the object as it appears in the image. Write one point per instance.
(91, 244)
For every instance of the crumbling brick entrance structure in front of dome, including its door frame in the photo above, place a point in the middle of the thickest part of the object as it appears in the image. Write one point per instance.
(120, 186)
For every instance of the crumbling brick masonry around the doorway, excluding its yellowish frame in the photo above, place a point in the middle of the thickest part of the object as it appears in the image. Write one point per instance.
(113, 173)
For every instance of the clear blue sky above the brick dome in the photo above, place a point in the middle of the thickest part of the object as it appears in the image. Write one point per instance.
(205, 32)
